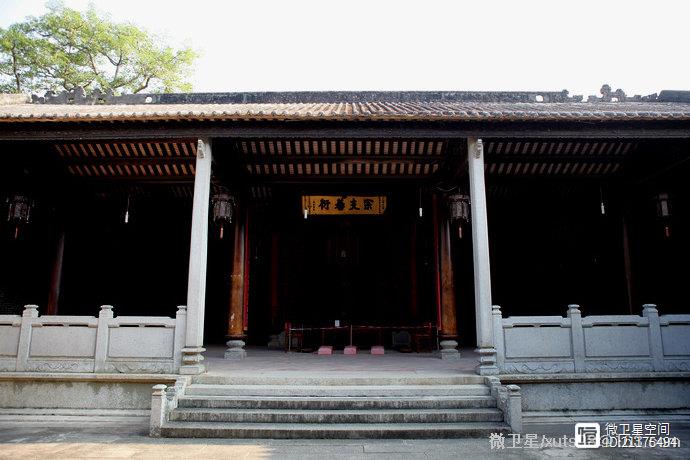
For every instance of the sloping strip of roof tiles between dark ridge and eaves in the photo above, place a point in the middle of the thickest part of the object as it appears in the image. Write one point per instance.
(356, 111)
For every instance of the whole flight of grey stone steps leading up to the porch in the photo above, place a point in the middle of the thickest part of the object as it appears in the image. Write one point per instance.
(335, 407)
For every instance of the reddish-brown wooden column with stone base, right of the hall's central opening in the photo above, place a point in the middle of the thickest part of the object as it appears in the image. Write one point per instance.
(445, 285)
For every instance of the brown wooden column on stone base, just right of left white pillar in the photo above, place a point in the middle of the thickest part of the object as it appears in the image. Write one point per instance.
(237, 293)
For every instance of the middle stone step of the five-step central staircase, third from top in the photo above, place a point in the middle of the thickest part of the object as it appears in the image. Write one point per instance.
(337, 403)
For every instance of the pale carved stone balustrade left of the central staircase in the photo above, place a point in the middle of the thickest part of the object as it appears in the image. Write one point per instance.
(103, 344)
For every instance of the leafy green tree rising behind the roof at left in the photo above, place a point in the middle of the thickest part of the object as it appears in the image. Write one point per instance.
(65, 49)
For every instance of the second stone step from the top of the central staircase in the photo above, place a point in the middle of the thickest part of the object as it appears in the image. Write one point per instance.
(337, 390)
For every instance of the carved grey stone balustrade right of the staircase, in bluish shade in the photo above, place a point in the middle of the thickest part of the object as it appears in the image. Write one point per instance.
(602, 343)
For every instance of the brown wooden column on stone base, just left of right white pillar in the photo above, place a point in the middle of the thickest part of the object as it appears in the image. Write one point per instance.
(449, 328)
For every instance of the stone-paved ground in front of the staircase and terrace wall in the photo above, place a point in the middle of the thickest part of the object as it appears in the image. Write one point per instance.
(96, 440)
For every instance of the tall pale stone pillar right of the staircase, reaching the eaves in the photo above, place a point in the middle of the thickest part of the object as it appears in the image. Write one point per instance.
(480, 250)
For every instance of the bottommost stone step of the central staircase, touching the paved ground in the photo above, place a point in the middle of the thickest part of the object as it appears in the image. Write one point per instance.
(332, 431)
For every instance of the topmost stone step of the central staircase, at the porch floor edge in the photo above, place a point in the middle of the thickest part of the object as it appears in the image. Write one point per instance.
(339, 380)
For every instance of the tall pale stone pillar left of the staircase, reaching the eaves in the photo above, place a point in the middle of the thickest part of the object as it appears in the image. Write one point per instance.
(192, 353)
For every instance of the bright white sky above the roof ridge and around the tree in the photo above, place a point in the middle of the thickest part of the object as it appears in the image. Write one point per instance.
(261, 45)
